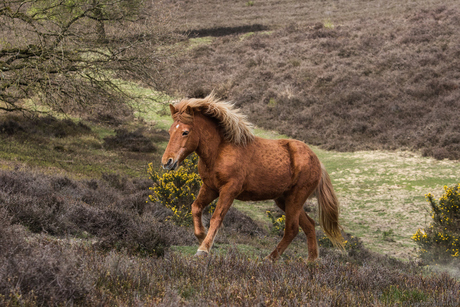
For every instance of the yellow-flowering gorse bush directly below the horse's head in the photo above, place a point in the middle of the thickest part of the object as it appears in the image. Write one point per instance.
(177, 190)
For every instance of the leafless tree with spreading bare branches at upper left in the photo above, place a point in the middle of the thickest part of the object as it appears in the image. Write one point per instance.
(70, 55)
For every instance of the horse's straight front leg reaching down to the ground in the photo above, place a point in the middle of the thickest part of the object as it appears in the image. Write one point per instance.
(226, 196)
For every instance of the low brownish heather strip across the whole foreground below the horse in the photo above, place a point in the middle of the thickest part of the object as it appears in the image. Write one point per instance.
(41, 271)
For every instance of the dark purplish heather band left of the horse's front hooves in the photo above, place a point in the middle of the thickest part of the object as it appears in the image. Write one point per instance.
(114, 213)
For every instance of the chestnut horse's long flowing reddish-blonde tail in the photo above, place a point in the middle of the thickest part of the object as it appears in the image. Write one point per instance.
(328, 207)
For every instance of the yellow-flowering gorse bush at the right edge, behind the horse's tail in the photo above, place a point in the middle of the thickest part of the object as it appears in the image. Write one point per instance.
(441, 240)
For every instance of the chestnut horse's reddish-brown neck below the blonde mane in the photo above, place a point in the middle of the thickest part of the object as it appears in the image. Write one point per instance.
(210, 140)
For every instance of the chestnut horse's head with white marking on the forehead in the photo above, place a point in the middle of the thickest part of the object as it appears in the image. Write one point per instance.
(183, 139)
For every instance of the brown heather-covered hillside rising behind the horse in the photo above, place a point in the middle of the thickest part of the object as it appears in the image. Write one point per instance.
(349, 79)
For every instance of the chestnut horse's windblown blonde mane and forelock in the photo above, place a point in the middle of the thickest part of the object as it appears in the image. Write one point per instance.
(236, 128)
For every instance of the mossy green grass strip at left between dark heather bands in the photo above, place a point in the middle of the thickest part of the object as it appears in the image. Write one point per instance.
(73, 156)
